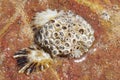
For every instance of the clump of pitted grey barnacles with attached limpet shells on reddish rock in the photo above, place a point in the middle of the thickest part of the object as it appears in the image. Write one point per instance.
(57, 34)
